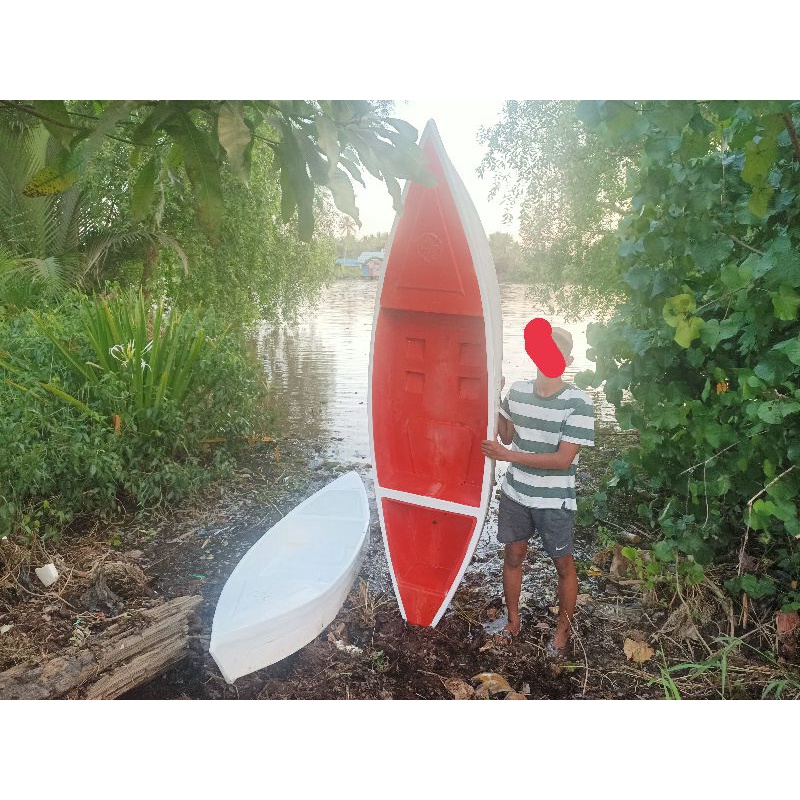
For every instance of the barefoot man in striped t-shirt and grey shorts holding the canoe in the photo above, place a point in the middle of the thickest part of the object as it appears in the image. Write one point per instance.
(546, 421)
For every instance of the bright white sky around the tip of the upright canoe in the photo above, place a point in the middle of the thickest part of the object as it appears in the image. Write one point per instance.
(458, 122)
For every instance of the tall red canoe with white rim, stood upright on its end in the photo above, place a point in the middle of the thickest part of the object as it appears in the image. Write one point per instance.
(435, 367)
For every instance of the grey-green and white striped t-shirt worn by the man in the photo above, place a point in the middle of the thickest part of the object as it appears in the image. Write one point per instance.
(540, 423)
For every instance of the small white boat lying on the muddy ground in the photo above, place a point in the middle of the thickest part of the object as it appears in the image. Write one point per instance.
(291, 583)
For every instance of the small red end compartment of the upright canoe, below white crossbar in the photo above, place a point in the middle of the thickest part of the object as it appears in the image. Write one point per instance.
(427, 549)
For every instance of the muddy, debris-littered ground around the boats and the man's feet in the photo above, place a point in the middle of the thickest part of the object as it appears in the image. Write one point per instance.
(624, 637)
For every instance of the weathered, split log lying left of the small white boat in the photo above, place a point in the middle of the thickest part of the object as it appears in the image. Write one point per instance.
(124, 656)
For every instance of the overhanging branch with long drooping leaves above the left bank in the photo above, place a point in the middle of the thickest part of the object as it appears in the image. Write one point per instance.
(314, 143)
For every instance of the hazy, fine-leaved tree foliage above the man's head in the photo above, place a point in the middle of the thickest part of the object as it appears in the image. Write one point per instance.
(571, 191)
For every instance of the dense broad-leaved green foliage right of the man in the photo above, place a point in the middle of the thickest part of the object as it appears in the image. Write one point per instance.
(707, 341)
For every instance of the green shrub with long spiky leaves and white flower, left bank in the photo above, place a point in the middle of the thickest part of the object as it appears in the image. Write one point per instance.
(107, 403)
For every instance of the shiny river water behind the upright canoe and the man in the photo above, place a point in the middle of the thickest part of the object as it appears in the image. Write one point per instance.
(318, 367)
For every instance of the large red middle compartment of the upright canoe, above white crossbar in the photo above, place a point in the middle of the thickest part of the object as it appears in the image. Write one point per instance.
(429, 410)
